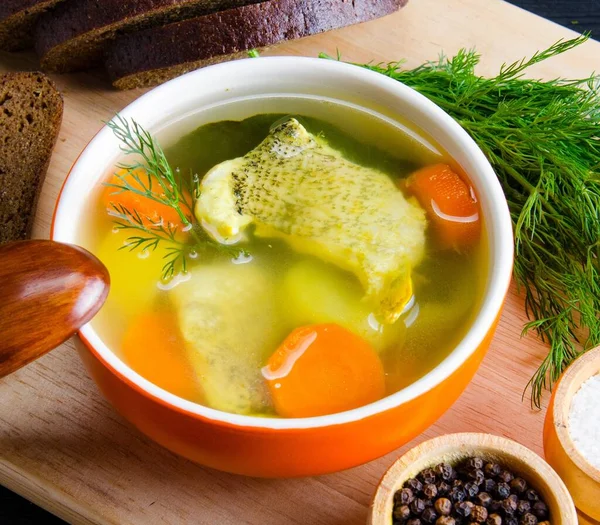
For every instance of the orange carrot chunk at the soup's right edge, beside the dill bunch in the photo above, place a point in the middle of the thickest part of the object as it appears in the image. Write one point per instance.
(450, 204)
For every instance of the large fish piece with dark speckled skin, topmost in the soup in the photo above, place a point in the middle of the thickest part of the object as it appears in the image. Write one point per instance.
(295, 186)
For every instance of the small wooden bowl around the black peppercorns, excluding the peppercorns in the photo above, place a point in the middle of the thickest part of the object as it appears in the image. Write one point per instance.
(452, 448)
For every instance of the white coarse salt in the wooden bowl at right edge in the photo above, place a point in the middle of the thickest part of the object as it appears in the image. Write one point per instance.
(584, 420)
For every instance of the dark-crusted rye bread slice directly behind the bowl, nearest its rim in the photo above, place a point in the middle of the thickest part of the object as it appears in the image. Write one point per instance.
(152, 56)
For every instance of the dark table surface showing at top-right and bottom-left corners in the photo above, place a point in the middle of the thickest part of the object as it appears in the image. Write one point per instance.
(579, 15)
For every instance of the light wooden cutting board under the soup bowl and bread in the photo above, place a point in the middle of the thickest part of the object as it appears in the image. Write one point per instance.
(63, 447)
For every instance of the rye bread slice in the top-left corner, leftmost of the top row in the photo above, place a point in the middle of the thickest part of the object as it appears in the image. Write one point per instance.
(17, 20)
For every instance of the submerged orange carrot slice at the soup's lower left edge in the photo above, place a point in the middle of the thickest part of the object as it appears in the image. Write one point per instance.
(153, 347)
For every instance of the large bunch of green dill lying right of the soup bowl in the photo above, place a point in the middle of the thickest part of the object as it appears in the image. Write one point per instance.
(543, 140)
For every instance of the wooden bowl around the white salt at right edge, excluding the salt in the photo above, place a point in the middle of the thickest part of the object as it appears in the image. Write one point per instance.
(582, 478)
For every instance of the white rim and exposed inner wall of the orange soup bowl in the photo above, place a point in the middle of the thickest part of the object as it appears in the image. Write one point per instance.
(204, 89)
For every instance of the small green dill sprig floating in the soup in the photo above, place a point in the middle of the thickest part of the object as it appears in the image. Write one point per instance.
(151, 177)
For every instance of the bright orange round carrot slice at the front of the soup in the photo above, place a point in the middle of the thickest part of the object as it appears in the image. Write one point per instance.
(323, 369)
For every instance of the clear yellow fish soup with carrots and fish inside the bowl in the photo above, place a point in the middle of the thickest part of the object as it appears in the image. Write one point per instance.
(286, 259)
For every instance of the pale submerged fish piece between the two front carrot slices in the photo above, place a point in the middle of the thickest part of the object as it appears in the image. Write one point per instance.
(226, 313)
